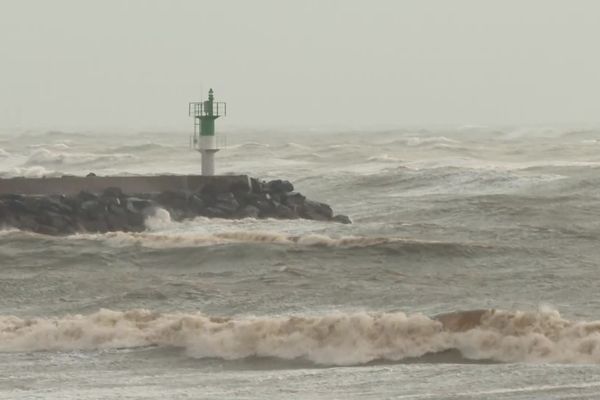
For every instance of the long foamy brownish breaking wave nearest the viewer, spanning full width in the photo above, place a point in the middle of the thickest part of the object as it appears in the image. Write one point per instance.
(333, 339)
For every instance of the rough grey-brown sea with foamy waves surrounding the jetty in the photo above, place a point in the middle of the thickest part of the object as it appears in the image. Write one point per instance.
(445, 219)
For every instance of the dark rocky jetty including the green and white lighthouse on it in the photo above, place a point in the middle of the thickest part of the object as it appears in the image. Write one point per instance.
(70, 204)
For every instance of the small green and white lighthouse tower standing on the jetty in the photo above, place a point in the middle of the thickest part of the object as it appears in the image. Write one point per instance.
(205, 113)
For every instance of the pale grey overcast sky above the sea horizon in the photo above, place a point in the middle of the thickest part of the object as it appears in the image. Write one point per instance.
(134, 65)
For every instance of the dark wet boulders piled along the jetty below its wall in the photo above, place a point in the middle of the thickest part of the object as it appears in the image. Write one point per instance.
(115, 210)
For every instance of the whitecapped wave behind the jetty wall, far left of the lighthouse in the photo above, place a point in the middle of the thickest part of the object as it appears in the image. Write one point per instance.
(49, 157)
